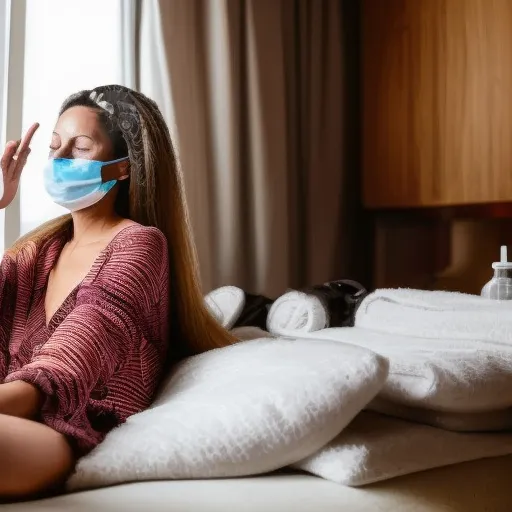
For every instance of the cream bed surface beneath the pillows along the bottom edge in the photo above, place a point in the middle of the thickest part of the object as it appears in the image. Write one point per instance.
(477, 486)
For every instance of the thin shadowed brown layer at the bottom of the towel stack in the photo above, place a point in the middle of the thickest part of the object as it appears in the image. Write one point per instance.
(488, 421)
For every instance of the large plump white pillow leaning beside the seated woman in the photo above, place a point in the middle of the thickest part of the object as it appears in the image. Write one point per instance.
(246, 409)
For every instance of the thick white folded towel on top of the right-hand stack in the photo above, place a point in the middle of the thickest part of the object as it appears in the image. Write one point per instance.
(436, 314)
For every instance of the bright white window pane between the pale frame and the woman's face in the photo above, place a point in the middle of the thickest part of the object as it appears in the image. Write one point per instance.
(69, 46)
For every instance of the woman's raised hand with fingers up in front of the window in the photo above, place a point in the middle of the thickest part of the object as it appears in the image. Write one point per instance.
(12, 163)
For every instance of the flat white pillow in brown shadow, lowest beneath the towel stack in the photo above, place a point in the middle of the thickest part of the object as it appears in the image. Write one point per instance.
(375, 447)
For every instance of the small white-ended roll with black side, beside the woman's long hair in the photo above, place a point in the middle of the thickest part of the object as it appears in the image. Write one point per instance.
(233, 307)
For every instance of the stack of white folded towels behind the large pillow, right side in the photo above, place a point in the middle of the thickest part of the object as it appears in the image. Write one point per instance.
(450, 356)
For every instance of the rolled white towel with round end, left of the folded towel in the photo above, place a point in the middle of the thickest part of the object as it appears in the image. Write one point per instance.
(297, 311)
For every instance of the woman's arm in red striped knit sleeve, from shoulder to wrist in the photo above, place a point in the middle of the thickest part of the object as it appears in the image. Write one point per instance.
(93, 341)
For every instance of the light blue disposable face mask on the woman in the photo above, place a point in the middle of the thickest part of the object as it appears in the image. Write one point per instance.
(77, 183)
